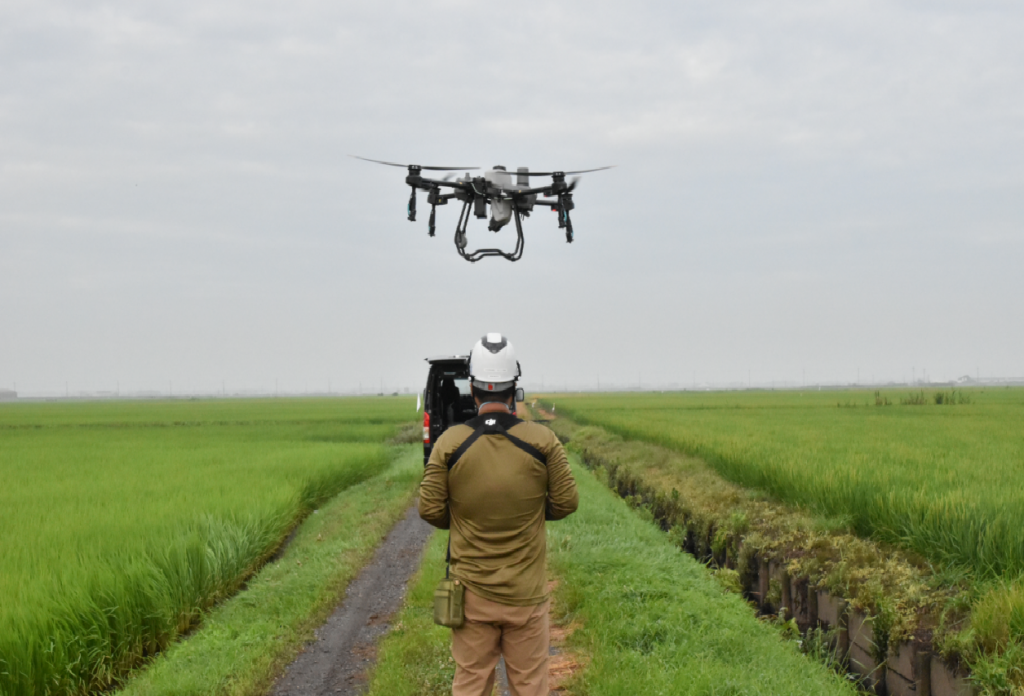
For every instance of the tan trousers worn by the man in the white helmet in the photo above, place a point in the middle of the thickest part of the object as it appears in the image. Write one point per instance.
(521, 634)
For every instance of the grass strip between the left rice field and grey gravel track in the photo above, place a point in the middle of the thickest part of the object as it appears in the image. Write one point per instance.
(245, 642)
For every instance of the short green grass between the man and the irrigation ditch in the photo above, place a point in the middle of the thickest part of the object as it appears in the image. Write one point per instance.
(654, 621)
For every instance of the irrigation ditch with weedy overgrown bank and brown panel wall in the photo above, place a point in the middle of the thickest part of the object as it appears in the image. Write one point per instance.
(867, 608)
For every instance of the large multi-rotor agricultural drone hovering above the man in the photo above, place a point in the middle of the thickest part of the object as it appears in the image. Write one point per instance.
(508, 200)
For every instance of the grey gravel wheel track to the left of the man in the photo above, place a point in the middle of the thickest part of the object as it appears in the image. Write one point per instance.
(336, 664)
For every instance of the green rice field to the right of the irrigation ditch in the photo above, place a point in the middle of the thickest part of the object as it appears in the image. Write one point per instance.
(945, 483)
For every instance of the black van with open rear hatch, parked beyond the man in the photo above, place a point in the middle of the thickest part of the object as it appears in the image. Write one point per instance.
(448, 400)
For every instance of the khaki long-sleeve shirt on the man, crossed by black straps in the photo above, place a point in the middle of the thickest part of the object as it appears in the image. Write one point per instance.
(495, 500)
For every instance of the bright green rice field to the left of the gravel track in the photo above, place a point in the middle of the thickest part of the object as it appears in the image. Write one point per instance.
(121, 523)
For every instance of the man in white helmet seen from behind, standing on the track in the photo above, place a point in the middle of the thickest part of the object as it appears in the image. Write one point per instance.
(494, 482)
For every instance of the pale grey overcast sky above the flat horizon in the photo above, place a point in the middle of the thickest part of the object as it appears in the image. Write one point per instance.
(803, 191)
